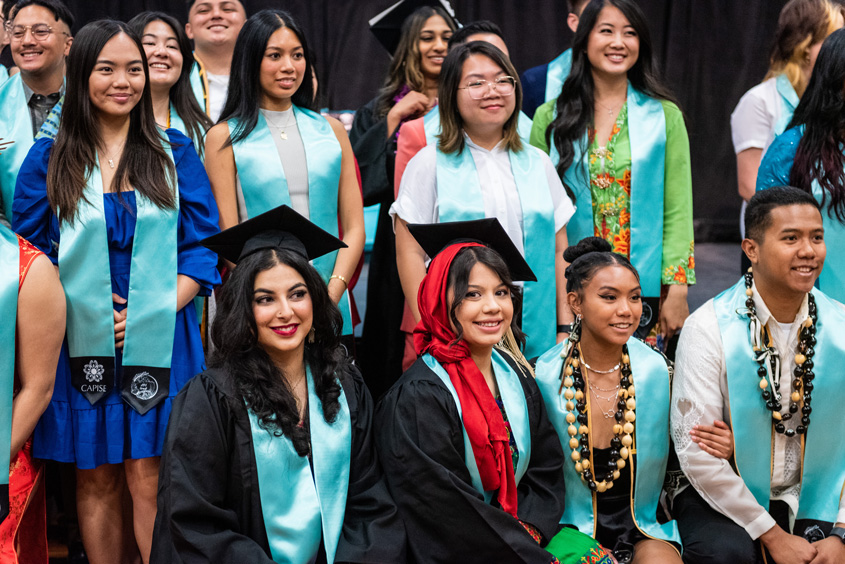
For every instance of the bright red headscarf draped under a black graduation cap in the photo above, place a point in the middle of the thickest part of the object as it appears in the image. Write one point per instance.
(483, 421)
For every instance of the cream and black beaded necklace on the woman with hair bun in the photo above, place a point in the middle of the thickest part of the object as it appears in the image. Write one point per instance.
(576, 405)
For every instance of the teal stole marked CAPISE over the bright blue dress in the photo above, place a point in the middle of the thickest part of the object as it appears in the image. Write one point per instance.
(151, 320)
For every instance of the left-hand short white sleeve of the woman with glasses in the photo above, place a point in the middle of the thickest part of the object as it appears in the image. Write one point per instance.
(417, 198)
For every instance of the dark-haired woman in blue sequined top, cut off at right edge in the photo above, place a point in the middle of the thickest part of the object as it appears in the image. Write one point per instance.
(808, 155)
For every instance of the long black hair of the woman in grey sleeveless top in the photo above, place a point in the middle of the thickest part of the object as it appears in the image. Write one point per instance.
(244, 96)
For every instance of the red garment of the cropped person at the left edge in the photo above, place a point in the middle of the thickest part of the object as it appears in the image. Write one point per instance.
(23, 534)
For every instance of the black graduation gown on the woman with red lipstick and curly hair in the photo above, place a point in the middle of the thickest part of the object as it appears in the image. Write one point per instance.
(209, 508)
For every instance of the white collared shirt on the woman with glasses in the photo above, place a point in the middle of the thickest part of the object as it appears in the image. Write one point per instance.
(417, 198)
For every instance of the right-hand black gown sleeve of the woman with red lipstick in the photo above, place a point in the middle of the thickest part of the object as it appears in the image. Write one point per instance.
(373, 531)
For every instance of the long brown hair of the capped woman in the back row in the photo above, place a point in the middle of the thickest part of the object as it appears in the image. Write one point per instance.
(406, 67)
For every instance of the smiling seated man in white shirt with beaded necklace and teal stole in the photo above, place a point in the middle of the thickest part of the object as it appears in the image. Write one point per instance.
(758, 355)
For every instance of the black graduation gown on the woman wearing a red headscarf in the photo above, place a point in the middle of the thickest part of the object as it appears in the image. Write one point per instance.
(420, 440)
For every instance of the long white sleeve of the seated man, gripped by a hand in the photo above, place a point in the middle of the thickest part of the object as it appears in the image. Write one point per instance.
(698, 397)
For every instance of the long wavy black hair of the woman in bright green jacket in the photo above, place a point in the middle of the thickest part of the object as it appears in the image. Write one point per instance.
(575, 105)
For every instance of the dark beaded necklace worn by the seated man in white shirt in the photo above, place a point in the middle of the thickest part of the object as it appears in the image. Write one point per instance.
(803, 371)
